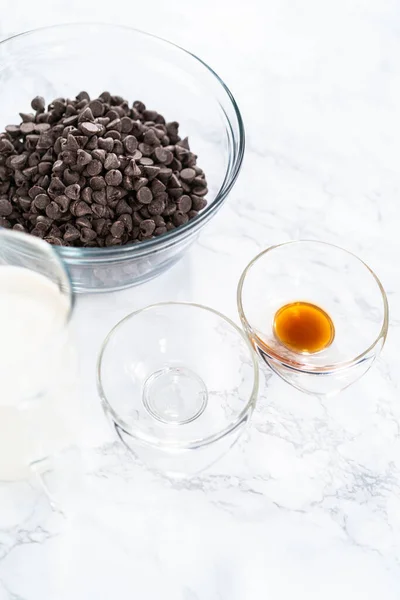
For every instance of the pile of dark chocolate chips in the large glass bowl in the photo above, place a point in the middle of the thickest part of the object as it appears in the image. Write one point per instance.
(97, 173)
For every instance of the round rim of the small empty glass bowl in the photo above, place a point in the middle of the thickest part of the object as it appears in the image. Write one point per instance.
(151, 440)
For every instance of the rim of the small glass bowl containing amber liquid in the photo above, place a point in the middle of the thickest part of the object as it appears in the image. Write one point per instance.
(293, 364)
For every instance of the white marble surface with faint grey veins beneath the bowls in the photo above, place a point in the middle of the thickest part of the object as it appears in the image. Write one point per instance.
(307, 506)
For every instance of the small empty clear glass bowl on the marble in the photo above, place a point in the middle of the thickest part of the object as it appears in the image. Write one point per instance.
(179, 383)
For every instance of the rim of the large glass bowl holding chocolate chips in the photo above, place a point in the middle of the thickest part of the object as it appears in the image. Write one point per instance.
(229, 180)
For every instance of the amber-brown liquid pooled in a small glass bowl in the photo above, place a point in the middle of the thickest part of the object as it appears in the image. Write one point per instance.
(303, 327)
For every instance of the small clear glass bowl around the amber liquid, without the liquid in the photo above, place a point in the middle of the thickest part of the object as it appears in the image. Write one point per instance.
(336, 281)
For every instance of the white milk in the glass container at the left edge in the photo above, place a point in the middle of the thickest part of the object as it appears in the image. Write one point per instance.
(38, 404)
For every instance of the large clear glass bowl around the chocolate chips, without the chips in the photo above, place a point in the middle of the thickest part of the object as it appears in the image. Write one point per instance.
(60, 61)
